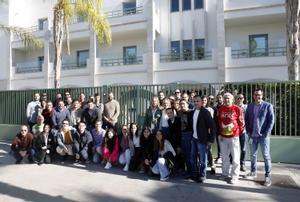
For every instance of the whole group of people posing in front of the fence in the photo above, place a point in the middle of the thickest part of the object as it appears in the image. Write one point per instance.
(176, 136)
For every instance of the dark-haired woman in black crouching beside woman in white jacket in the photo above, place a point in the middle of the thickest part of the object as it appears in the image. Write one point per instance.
(146, 142)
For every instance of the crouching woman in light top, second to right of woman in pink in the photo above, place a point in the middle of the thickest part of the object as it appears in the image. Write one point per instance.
(135, 138)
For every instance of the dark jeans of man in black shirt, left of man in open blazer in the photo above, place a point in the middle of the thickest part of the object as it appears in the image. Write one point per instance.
(186, 138)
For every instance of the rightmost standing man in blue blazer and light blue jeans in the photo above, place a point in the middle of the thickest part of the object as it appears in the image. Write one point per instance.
(259, 123)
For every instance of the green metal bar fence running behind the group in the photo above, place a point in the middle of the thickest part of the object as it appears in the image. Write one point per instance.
(285, 96)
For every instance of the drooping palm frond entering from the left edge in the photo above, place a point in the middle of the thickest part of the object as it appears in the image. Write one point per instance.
(28, 39)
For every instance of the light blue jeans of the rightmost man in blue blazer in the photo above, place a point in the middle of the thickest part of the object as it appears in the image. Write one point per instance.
(264, 143)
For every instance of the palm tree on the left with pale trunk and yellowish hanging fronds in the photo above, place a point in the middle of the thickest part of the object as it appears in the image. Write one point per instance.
(64, 10)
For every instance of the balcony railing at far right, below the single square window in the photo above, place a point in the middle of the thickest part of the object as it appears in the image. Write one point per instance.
(259, 52)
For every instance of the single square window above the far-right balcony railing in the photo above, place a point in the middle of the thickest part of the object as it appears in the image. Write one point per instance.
(258, 45)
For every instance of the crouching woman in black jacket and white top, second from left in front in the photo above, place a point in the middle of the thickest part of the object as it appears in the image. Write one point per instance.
(45, 145)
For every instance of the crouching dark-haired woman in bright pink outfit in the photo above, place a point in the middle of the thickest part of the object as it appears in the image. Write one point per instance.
(110, 148)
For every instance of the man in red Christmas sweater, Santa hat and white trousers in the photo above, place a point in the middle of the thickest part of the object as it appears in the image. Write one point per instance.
(231, 126)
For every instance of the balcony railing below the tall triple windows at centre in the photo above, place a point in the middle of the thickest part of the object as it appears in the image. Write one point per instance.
(186, 56)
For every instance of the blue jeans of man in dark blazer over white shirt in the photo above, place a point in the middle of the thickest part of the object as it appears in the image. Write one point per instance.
(201, 149)
